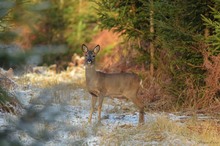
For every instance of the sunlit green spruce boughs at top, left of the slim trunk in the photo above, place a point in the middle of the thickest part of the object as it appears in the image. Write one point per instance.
(130, 17)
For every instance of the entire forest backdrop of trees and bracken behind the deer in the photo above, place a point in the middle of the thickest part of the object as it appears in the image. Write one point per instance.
(173, 45)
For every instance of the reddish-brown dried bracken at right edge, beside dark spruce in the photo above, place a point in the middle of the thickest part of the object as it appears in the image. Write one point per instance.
(204, 98)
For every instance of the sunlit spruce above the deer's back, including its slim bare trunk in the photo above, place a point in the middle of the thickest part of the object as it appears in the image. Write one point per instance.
(133, 19)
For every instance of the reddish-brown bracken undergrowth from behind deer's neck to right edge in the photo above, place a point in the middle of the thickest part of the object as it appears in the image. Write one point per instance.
(172, 87)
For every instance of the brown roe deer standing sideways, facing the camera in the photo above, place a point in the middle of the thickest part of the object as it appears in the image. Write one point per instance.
(118, 85)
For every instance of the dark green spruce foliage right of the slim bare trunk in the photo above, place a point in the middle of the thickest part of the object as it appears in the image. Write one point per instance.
(180, 31)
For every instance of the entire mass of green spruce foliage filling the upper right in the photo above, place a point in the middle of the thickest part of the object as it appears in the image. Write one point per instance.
(179, 31)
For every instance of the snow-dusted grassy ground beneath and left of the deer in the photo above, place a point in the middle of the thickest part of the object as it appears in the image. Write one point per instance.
(57, 115)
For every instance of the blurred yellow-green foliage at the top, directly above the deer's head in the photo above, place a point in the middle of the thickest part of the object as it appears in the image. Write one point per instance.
(81, 24)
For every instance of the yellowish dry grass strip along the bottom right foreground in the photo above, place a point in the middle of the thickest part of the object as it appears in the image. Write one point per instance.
(166, 132)
